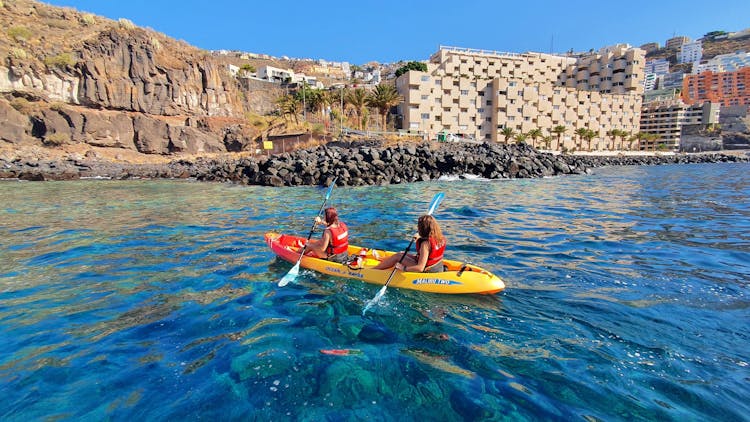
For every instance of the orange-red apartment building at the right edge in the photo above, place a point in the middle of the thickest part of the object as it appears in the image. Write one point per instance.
(726, 88)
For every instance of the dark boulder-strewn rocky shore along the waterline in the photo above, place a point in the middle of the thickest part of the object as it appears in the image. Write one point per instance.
(355, 163)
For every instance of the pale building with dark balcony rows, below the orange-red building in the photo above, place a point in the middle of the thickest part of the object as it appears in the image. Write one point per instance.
(671, 118)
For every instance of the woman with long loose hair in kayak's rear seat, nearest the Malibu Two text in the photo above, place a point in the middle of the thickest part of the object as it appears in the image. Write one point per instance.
(430, 249)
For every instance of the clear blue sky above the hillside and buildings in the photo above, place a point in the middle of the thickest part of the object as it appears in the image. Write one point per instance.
(393, 30)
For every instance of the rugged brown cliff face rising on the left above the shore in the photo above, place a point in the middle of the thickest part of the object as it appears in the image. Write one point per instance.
(70, 77)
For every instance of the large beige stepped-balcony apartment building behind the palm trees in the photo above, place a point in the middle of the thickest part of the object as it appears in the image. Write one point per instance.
(478, 93)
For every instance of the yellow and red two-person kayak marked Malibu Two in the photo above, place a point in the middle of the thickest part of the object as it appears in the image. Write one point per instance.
(459, 277)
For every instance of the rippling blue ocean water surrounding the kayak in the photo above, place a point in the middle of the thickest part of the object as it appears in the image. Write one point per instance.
(627, 299)
